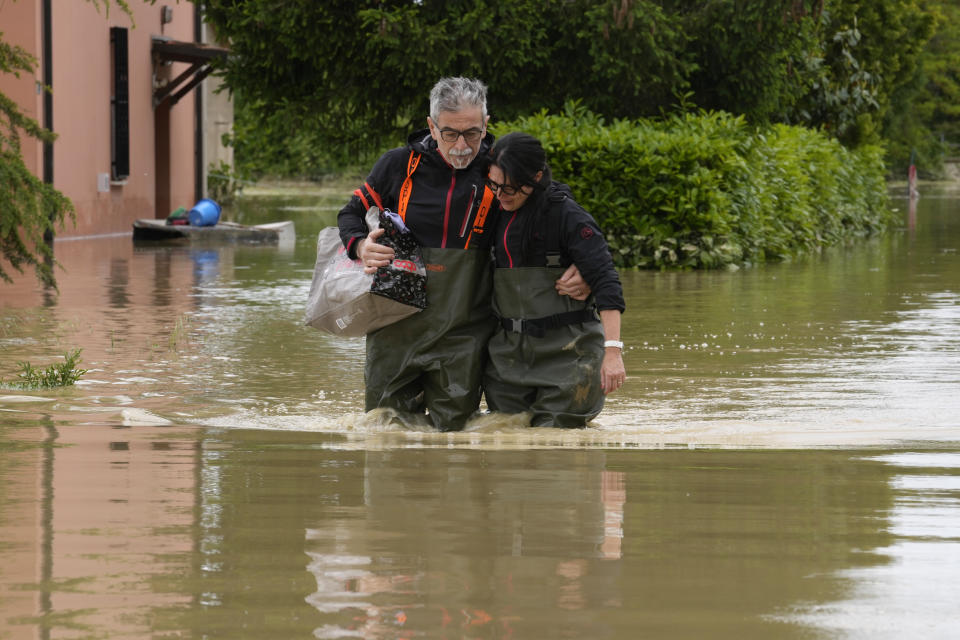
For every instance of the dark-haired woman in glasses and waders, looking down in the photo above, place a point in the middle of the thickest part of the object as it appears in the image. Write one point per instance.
(550, 356)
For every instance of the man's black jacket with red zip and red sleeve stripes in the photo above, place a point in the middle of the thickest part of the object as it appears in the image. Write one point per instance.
(444, 202)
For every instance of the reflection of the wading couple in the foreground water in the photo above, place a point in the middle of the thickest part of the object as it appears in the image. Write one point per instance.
(442, 544)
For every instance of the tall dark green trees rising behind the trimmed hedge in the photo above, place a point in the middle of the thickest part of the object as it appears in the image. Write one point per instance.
(320, 86)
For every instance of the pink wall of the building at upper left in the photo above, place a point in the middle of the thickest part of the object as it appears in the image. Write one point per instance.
(82, 88)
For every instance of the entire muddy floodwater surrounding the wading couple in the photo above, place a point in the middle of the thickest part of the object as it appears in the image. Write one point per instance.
(784, 460)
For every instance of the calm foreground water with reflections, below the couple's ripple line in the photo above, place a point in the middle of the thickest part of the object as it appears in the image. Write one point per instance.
(128, 533)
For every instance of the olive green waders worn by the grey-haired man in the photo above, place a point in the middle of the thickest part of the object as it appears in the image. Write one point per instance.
(434, 359)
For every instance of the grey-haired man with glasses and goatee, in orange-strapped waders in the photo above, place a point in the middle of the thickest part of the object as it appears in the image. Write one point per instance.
(434, 359)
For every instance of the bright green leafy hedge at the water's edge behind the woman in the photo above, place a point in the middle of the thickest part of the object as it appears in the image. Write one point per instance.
(707, 190)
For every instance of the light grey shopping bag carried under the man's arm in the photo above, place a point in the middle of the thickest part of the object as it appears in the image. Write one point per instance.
(341, 301)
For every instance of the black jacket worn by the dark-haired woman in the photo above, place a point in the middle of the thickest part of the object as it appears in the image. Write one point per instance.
(552, 217)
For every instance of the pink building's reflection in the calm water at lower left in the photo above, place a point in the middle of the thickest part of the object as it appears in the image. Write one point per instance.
(93, 522)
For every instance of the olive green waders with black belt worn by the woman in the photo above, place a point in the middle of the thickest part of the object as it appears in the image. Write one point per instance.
(553, 372)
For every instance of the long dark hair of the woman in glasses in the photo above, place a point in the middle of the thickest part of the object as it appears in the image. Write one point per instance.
(521, 156)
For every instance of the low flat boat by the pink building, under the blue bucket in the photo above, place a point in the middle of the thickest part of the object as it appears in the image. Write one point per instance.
(271, 233)
